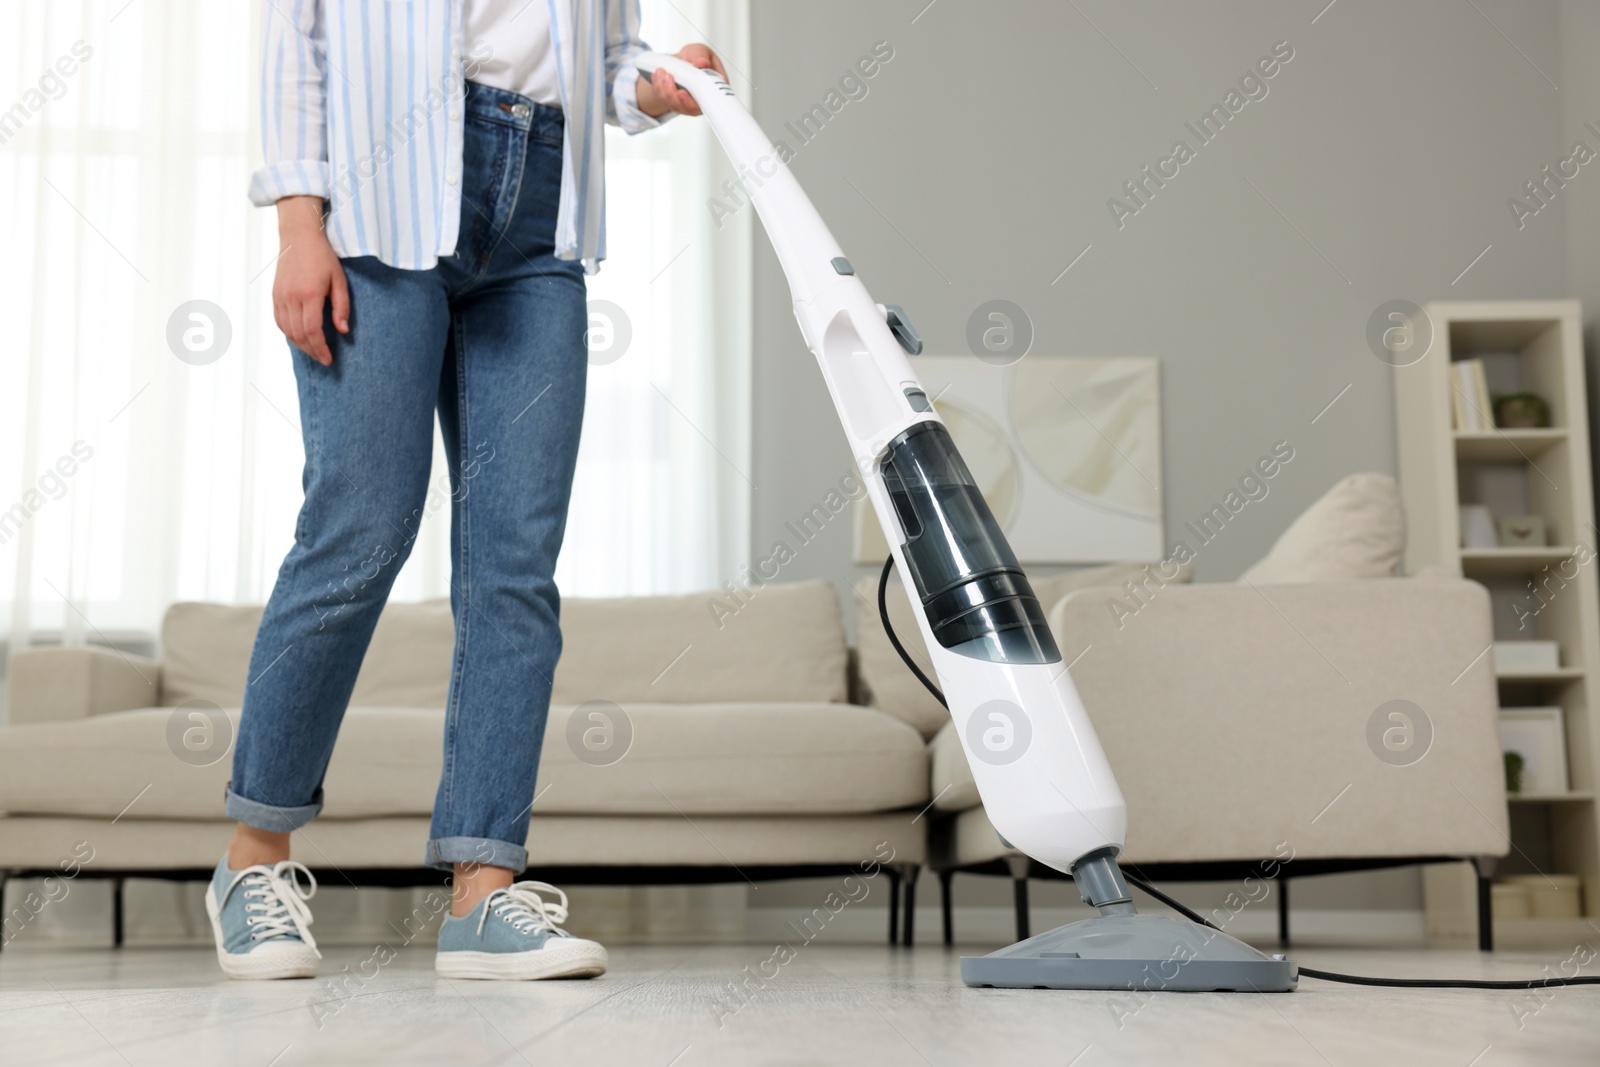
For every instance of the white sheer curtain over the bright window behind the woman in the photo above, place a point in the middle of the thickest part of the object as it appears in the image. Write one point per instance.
(130, 479)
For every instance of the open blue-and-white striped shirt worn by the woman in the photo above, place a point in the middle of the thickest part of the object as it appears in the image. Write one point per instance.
(362, 106)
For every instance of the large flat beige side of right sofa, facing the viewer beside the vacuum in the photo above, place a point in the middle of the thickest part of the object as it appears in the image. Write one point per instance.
(1252, 721)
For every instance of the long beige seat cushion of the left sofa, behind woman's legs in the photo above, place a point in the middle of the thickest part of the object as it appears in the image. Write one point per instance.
(682, 761)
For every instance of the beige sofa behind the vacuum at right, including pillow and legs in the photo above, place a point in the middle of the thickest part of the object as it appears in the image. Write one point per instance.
(1241, 717)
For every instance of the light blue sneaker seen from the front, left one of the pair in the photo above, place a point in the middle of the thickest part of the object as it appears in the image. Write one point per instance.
(262, 922)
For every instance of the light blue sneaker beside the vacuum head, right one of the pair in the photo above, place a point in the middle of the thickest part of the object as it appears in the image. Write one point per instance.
(516, 935)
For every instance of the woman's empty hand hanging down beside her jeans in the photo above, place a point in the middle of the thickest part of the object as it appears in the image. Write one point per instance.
(308, 276)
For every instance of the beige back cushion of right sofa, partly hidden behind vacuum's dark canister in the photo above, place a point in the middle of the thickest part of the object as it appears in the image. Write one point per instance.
(897, 692)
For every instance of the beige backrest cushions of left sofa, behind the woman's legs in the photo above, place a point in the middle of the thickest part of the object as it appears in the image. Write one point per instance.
(783, 642)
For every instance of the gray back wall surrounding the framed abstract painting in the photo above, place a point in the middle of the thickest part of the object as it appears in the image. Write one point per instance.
(982, 161)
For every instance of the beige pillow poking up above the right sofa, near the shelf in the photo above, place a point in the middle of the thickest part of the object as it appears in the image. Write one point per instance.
(1354, 530)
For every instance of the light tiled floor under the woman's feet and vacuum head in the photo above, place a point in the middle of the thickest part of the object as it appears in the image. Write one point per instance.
(830, 1005)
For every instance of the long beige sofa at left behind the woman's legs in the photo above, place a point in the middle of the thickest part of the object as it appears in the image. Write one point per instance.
(745, 761)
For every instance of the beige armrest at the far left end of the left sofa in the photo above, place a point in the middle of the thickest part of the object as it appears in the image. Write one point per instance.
(76, 682)
